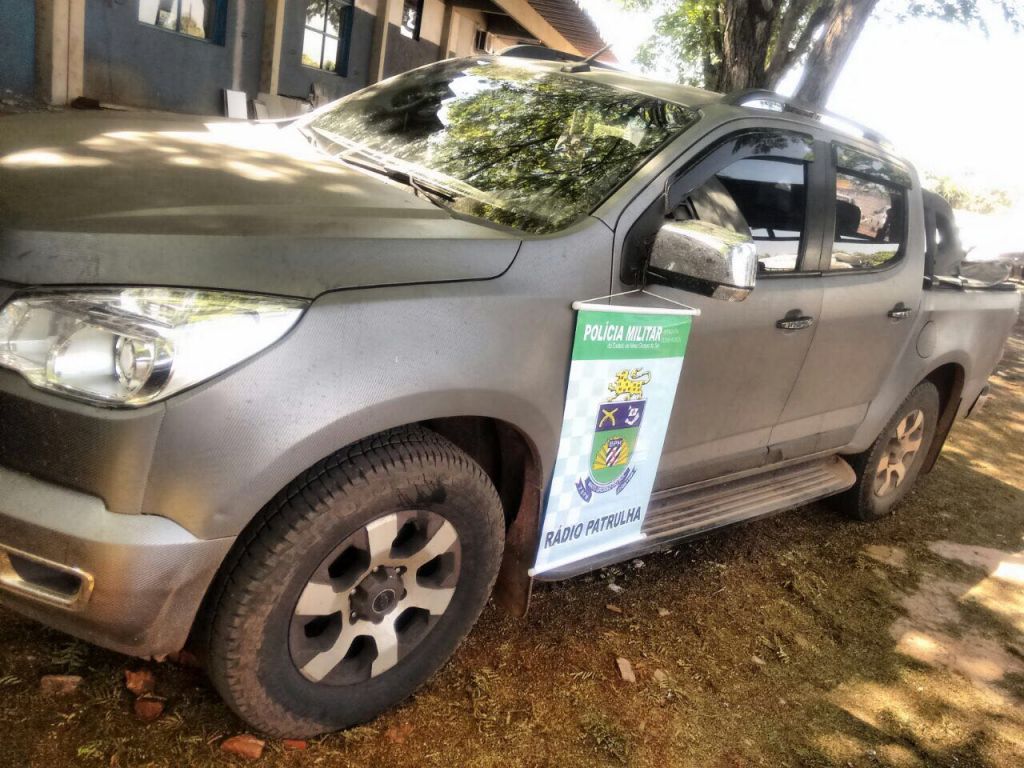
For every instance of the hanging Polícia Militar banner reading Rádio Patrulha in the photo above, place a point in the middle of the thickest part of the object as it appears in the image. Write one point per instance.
(623, 379)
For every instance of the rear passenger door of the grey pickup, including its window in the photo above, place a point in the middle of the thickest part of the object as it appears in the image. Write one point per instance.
(872, 273)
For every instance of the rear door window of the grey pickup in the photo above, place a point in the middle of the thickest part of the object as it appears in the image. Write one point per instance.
(871, 223)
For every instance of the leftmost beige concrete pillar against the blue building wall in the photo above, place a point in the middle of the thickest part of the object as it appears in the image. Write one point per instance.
(60, 50)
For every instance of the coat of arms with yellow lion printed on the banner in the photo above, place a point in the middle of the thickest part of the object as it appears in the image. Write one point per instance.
(616, 433)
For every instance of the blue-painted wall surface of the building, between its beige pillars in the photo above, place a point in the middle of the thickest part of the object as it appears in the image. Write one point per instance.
(139, 65)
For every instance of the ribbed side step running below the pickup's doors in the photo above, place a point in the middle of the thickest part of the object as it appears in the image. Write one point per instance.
(693, 510)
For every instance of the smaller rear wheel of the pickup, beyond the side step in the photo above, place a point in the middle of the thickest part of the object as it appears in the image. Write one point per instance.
(880, 489)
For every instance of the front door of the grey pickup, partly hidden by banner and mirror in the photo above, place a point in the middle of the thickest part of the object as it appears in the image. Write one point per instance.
(741, 363)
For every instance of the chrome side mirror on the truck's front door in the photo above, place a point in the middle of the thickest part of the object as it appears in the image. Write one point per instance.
(704, 259)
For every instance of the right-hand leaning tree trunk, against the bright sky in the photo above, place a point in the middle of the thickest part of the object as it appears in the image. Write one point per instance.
(830, 53)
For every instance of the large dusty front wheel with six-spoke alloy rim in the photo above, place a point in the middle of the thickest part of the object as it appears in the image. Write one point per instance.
(260, 652)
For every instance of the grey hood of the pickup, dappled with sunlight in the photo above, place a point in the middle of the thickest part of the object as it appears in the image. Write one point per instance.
(144, 199)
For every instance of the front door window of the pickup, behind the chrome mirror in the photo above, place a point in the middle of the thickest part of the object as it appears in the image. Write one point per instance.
(765, 199)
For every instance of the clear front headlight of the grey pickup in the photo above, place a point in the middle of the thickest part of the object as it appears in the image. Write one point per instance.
(137, 346)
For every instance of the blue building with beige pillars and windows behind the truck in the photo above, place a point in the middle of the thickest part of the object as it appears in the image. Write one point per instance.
(182, 55)
